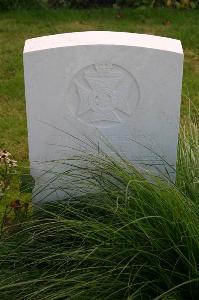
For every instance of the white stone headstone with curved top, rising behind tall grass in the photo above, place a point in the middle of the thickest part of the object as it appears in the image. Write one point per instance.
(121, 87)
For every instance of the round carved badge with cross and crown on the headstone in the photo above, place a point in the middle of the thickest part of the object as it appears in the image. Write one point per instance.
(107, 94)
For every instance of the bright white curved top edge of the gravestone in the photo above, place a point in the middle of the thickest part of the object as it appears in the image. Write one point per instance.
(103, 38)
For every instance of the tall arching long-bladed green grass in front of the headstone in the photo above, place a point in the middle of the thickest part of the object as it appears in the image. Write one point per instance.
(132, 238)
